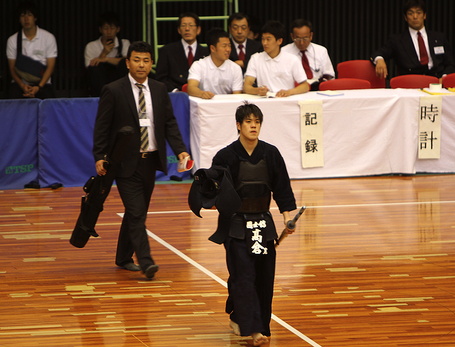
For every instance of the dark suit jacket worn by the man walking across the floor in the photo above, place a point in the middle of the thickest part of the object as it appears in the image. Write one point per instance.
(117, 108)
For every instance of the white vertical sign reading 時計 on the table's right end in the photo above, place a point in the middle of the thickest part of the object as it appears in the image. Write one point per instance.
(430, 127)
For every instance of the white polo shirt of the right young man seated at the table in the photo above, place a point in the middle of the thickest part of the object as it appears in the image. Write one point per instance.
(279, 73)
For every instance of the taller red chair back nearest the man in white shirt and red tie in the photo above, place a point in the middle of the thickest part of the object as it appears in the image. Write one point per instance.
(362, 69)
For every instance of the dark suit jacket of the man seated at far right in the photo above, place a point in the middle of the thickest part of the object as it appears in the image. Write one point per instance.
(401, 49)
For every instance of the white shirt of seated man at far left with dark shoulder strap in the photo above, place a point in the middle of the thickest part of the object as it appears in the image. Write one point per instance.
(41, 47)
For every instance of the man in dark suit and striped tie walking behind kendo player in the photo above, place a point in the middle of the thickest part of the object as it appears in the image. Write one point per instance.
(144, 104)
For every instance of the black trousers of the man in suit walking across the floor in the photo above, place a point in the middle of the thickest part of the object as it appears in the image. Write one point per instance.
(136, 192)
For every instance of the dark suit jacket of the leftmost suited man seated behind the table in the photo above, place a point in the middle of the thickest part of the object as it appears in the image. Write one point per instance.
(172, 67)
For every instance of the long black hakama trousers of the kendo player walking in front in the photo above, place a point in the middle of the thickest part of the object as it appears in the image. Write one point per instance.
(250, 286)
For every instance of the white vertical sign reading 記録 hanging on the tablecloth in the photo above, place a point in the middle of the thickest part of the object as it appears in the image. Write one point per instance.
(311, 133)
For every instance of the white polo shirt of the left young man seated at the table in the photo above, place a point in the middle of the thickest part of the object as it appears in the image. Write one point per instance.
(225, 79)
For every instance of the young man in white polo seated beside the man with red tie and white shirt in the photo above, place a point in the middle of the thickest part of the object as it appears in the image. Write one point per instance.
(275, 71)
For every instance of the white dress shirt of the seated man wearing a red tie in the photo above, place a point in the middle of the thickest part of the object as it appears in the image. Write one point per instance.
(318, 59)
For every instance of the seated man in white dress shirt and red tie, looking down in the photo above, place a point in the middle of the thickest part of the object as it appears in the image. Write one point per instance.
(315, 58)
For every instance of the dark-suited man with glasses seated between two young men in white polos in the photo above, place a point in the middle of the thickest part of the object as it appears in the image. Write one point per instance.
(242, 47)
